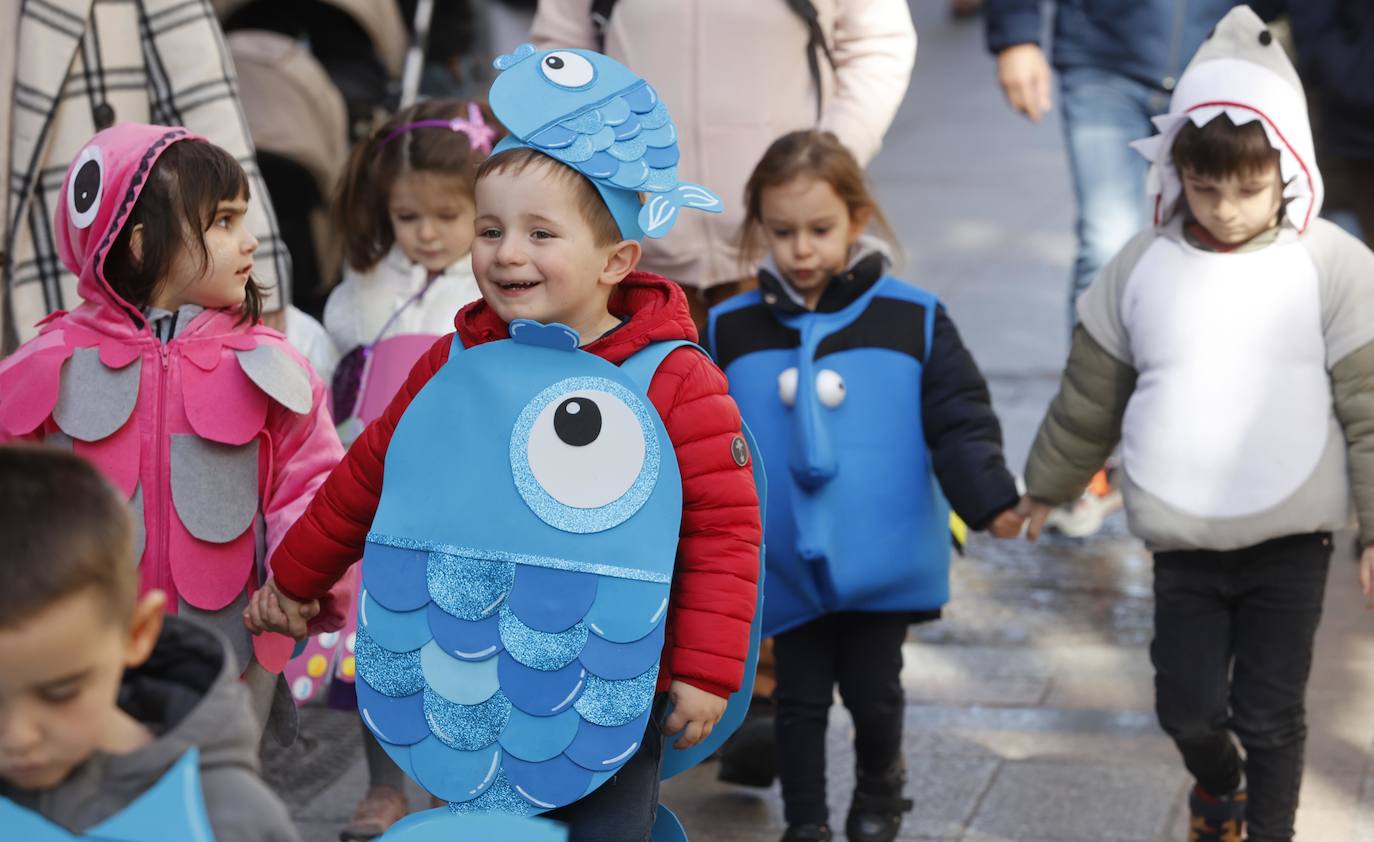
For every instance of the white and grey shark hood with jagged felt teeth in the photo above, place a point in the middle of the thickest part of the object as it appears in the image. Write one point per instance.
(1240, 72)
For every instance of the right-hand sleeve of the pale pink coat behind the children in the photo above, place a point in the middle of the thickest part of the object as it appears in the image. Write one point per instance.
(875, 46)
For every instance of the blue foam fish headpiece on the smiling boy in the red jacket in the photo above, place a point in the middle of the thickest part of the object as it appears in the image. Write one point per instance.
(596, 116)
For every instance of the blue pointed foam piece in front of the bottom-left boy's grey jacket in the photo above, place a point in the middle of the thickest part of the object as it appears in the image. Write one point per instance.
(174, 808)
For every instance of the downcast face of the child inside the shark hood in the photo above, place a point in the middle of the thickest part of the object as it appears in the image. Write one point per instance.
(1239, 207)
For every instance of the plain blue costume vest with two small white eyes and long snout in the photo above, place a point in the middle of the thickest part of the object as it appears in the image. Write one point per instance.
(855, 521)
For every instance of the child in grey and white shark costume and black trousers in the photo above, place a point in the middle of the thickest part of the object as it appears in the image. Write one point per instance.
(1230, 351)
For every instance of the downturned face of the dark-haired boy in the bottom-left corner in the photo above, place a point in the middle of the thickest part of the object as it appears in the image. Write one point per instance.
(60, 678)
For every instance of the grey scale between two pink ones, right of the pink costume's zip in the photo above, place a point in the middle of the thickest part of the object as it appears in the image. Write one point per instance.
(215, 487)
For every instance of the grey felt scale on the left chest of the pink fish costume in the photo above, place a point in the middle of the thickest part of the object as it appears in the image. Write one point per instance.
(94, 402)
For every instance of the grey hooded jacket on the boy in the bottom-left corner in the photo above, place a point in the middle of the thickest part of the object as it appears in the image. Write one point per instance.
(189, 696)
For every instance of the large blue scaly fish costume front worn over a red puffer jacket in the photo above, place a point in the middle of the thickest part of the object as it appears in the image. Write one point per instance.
(517, 575)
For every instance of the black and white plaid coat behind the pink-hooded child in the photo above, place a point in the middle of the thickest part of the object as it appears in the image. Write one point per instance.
(82, 67)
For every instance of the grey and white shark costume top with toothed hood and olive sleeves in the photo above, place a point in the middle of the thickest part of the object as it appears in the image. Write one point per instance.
(1240, 384)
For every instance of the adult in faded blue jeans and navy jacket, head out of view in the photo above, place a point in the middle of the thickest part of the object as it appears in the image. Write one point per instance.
(1118, 62)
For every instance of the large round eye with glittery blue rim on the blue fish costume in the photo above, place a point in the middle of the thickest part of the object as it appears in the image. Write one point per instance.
(585, 455)
